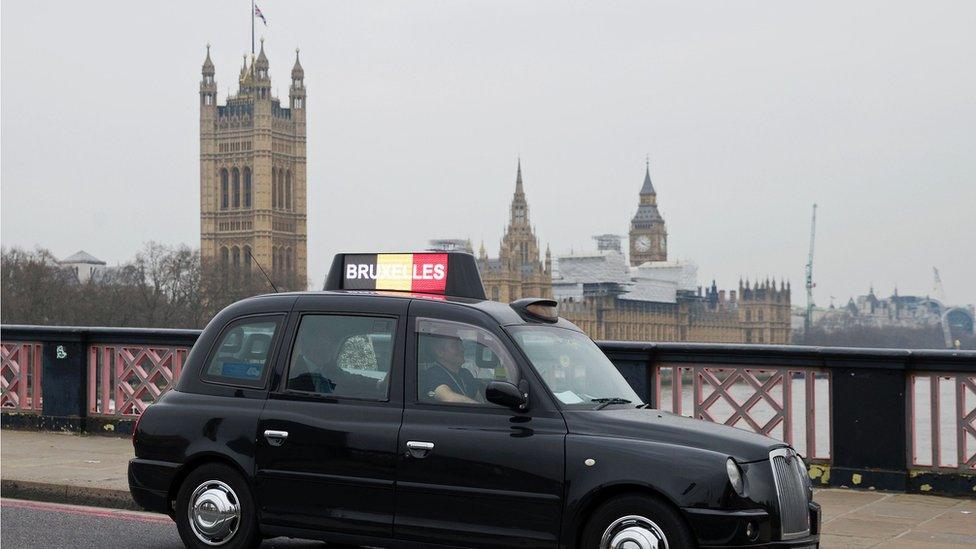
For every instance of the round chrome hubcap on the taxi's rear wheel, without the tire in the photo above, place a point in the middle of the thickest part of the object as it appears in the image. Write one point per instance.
(214, 512)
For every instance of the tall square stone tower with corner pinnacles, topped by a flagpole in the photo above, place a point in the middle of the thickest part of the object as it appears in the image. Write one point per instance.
(252, 174)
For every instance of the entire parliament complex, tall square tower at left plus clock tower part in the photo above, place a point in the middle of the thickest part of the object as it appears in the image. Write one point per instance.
(253, 210)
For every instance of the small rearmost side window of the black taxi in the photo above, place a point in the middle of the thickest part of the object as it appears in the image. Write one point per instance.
(243, 354)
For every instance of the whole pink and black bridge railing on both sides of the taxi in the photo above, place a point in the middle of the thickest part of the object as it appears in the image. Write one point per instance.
(870, 418)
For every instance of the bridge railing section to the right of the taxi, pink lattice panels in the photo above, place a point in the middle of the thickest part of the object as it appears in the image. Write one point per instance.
(872, 418)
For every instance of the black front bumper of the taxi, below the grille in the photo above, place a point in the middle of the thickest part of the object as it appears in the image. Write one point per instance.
(717, 528)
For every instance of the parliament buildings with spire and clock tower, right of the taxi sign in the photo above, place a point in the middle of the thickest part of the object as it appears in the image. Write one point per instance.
(643, 298)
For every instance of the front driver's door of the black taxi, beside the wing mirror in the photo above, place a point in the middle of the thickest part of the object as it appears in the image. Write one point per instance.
(474, 474)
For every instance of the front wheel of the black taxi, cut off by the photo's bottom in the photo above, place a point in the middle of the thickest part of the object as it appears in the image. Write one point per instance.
(636, 517)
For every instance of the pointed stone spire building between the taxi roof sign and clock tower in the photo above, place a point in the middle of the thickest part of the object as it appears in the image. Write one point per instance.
(518, 271)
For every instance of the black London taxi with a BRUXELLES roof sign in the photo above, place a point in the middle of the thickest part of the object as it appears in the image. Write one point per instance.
(400, 408)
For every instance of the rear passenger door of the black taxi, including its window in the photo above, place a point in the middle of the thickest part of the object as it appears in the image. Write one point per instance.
(327, 438)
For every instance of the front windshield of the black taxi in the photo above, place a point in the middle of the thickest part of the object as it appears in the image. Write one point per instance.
(574, 368)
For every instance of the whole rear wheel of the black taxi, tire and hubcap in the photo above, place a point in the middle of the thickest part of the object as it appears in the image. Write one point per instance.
(228, 519)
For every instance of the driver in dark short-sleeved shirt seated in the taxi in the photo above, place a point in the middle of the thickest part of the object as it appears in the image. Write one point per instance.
(445, 380)
